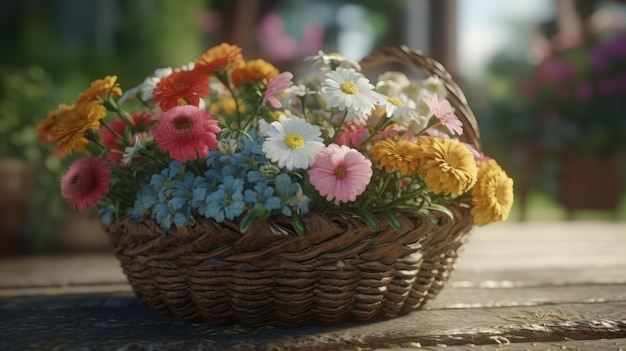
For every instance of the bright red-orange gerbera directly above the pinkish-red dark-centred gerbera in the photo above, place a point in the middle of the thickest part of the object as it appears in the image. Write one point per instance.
(181, 88)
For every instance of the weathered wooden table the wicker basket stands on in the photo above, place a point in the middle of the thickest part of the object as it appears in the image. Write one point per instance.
(517, 286)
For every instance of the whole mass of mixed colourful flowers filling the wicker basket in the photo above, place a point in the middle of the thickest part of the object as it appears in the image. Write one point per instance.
(236, 140)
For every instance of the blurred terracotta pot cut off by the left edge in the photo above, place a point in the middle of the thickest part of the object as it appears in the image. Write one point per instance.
(16, 183)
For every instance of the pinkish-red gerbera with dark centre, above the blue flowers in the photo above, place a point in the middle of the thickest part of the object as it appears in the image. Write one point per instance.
(186, 131)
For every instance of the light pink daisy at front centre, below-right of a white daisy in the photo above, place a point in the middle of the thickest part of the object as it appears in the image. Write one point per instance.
(340, 173)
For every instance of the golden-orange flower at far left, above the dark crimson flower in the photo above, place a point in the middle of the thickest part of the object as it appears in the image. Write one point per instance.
(69, 131)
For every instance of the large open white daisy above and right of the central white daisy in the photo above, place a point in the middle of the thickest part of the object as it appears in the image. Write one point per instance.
(348, 89)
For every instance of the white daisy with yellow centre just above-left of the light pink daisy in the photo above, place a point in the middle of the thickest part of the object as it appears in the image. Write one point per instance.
(292, 142)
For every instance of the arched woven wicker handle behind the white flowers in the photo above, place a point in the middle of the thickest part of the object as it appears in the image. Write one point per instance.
(430, 67)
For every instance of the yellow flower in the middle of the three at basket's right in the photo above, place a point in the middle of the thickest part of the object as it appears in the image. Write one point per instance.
(448, 165)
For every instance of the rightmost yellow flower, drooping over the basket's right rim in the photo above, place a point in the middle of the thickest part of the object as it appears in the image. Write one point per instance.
(492, 196)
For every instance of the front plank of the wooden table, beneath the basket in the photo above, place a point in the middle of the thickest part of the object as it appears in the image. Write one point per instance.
(114, 322)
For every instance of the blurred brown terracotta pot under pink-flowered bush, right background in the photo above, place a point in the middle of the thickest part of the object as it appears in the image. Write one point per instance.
(590, 183)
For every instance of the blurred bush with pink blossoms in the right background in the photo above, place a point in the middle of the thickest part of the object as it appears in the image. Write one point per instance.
(576, 96)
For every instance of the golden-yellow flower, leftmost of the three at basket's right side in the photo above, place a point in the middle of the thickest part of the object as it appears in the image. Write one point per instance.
(397, 155)
